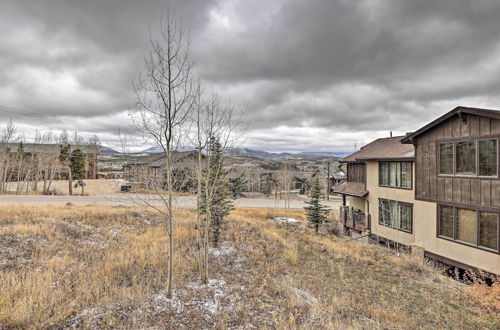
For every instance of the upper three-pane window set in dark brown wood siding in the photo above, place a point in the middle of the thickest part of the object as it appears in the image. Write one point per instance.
(469, 158)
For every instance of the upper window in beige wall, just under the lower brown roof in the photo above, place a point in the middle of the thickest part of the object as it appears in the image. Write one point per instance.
(395, 174)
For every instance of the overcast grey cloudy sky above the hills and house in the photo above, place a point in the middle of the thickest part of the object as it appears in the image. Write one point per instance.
(313, 75)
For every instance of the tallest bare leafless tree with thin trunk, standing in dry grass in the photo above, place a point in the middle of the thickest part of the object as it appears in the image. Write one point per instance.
(166, 95)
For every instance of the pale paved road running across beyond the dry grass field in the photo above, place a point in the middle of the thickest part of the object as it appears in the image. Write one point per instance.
(132, 199)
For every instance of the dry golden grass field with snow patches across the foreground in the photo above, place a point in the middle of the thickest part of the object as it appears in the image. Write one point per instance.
(104, 267)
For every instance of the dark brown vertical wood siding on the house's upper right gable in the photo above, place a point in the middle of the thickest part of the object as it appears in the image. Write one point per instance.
(482, 192)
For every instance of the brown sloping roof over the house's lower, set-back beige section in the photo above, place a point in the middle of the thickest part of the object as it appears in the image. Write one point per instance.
(389, 148)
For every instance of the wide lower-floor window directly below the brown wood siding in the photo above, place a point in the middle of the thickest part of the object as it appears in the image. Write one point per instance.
(477, 228)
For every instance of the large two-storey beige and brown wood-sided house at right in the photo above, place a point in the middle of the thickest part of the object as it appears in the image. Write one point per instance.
(436, 190)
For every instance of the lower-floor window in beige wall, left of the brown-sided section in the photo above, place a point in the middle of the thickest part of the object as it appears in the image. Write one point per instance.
(396, 215)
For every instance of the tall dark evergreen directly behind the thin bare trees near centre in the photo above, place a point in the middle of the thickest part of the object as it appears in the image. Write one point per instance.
(219, 195)
